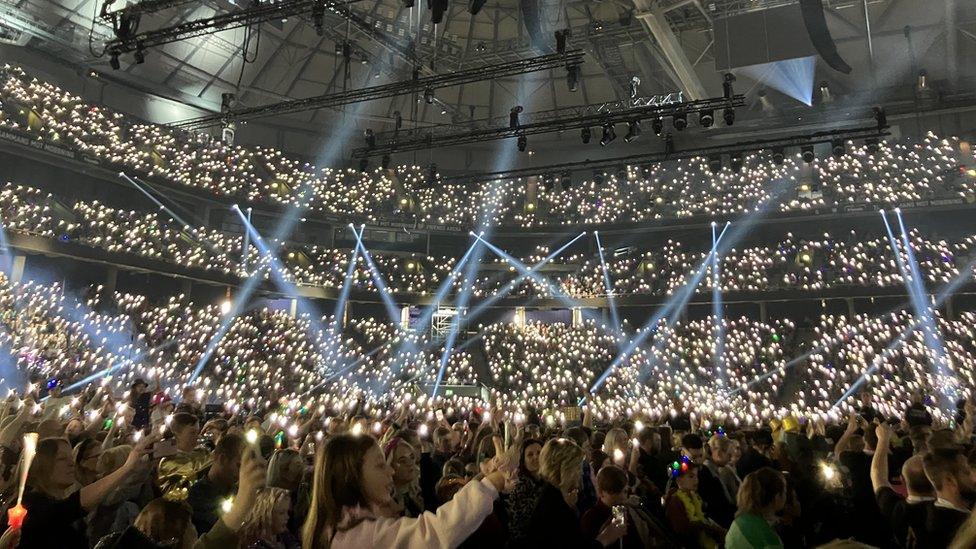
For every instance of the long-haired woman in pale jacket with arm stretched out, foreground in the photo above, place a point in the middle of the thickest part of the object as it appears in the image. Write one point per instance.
(353, 507)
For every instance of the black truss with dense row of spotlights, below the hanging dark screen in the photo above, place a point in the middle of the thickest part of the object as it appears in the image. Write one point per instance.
(570, 119)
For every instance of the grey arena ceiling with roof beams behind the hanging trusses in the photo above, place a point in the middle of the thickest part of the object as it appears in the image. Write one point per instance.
(289, 59)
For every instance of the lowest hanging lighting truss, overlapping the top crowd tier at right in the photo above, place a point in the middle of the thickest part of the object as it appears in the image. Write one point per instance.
(654, 158)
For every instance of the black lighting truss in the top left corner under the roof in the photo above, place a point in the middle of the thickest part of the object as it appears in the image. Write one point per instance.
(254, 15)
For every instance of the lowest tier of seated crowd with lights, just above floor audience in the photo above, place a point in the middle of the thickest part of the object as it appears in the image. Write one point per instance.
(269, 359)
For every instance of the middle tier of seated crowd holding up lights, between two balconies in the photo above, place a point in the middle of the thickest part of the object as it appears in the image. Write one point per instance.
(830, 261)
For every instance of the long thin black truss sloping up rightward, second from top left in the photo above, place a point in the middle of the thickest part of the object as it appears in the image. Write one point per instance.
(418, 84)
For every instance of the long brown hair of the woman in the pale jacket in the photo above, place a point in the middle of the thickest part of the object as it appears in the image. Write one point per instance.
(337, 483)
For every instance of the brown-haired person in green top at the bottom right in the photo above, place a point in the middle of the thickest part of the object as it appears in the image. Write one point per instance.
(761, 496)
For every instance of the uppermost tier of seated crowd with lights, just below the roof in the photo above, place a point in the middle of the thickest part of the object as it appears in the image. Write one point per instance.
(929, 169)
